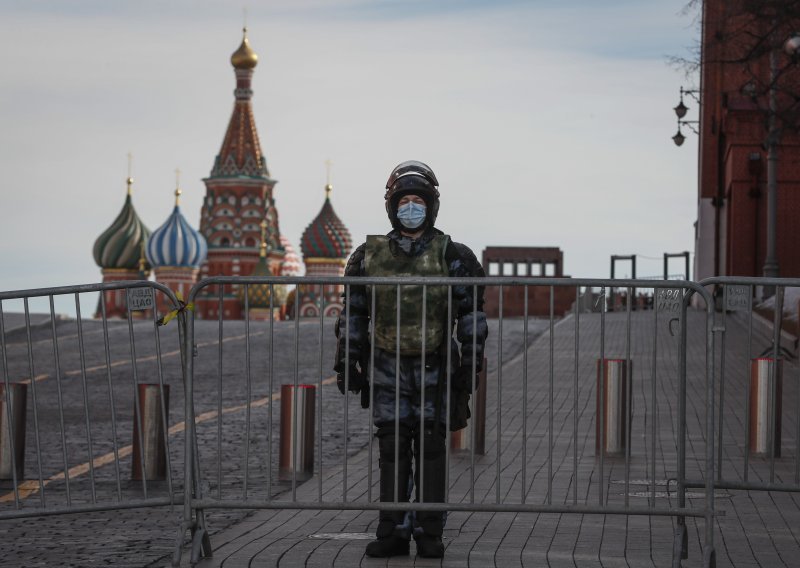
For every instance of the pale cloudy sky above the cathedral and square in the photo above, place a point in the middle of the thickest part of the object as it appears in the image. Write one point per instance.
(547, 122)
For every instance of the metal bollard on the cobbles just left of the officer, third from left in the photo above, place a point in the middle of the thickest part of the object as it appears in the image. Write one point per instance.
(297, 431)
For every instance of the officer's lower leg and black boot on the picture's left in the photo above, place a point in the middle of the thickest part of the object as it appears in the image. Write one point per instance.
(392, 539)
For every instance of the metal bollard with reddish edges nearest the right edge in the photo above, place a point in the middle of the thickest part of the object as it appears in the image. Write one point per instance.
(763, 373)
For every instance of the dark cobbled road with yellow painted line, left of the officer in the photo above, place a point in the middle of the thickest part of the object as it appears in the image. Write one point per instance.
(100, 394)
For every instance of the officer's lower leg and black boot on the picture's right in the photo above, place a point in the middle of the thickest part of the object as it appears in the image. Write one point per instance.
(429, 543)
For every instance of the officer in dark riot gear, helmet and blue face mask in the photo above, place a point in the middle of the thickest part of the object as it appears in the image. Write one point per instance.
(413, 248)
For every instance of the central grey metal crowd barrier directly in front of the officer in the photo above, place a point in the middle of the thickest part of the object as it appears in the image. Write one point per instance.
(541, 398)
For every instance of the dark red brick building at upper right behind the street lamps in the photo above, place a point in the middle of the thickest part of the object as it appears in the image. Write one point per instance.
(731, 228)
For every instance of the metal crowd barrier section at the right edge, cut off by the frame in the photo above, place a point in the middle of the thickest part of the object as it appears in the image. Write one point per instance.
(754, 385)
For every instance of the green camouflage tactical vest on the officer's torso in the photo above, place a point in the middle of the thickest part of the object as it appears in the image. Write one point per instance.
(380, 261)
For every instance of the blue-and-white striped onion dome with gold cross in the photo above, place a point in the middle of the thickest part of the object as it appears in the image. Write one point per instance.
(175, 243)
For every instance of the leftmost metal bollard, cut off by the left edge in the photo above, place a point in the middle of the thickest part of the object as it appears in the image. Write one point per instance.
(16, 398)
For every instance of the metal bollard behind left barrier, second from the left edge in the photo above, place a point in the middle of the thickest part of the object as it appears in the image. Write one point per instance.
(151, 446)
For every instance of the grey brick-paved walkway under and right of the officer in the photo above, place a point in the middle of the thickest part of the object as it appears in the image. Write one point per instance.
(758, 529)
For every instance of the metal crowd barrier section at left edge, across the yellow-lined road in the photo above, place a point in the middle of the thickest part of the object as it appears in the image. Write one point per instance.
(69, 448)
